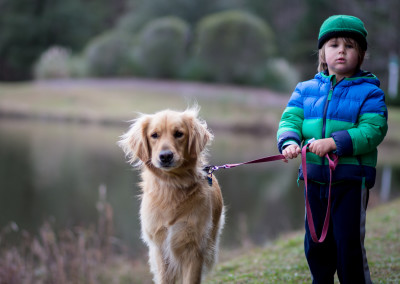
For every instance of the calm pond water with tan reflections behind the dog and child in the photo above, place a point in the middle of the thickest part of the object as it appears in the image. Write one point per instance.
(52, 171)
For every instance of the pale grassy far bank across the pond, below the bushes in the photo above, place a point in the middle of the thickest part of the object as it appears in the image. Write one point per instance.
(116, 101)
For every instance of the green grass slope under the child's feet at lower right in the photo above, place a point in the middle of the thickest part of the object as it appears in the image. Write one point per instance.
(283, 260)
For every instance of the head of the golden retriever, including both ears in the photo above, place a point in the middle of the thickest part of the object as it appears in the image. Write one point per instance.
(167, 139)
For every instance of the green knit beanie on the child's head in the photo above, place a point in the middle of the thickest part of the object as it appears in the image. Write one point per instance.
(343, 26)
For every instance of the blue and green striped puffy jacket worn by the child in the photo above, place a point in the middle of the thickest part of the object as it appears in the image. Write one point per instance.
(353, 112)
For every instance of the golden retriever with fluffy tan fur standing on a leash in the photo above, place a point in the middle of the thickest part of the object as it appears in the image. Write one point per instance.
(181, 213)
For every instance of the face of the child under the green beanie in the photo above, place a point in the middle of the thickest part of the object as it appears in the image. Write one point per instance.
(342, 57)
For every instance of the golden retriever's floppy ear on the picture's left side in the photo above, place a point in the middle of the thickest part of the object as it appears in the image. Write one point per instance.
(134, 142)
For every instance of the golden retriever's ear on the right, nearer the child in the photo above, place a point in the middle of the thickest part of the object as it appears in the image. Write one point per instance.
(199, 135)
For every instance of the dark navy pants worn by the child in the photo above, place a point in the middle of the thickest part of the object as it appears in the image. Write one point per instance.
(343, 249)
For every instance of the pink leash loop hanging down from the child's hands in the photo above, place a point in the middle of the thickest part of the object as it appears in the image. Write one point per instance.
(333, 161)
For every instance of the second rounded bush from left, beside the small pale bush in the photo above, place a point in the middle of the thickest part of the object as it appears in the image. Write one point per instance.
(110, 54)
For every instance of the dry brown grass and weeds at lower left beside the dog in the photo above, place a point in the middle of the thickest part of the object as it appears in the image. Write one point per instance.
(78, 255)
